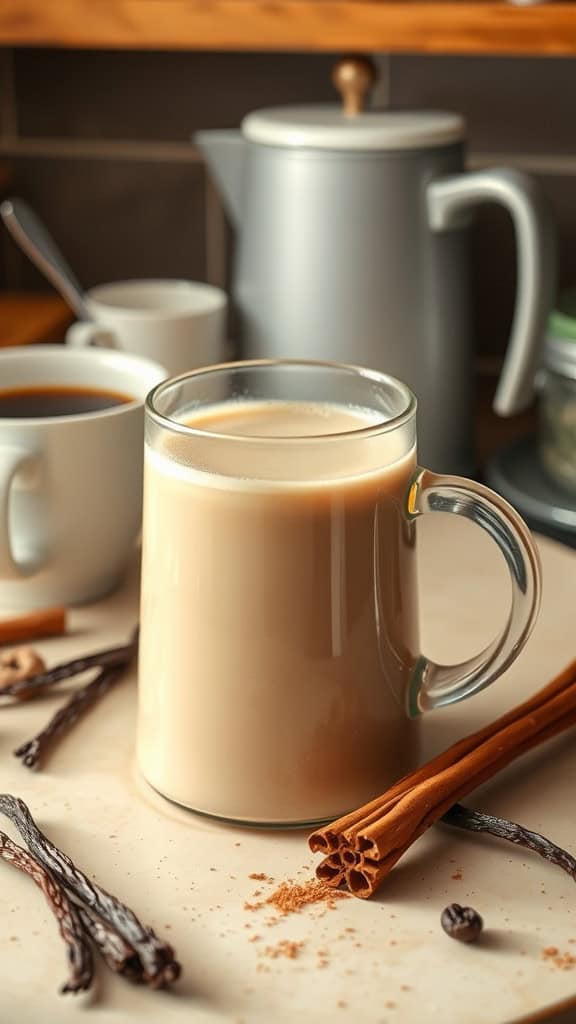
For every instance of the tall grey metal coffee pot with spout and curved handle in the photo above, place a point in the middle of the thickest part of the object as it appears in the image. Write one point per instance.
(352, 246)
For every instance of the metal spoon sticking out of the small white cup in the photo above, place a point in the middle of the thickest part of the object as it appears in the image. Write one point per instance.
(35, 241)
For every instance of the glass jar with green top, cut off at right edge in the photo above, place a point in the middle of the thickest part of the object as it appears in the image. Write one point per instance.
(558, 409)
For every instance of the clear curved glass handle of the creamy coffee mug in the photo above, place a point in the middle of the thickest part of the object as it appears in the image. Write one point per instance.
(436, 686)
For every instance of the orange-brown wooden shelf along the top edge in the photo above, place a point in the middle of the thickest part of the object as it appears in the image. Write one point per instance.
(401, 26)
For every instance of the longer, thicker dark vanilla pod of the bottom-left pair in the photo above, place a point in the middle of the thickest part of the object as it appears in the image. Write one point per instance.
(157, 958)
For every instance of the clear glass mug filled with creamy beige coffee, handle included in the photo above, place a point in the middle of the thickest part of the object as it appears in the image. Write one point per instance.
(281, 673)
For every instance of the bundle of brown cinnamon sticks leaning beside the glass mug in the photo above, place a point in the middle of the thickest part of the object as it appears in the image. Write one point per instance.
(362, 847)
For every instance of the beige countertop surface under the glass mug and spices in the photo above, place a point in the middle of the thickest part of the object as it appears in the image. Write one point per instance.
(377, 962)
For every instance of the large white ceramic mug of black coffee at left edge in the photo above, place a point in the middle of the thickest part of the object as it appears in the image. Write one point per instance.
(71, 486)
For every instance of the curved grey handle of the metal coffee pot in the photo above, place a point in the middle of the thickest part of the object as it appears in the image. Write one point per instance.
(449, 200)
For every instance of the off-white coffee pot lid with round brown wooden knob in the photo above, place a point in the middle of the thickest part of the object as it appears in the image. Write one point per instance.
(350, 126)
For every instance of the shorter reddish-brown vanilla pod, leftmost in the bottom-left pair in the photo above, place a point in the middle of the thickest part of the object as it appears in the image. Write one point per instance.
(78, 948)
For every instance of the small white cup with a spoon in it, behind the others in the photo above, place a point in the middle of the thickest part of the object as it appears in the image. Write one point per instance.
(181, 324)
